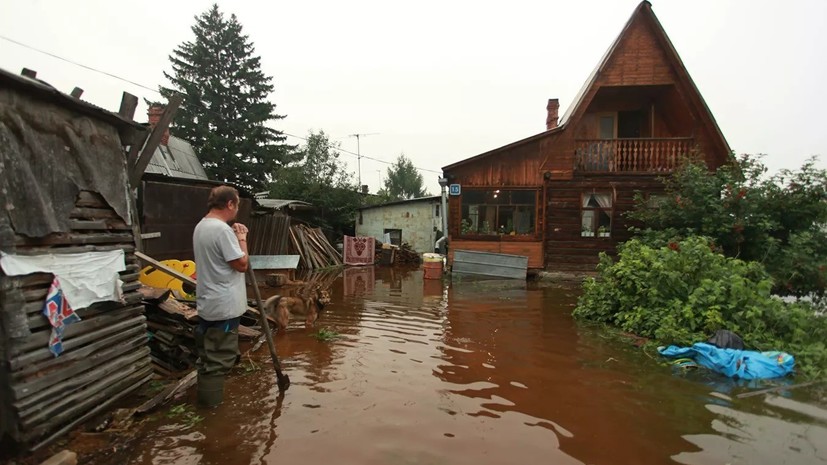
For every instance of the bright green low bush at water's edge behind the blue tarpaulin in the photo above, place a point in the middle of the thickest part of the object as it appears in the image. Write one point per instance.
(684, 291)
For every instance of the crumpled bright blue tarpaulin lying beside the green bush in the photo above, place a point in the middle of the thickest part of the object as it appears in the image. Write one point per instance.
(743, 364)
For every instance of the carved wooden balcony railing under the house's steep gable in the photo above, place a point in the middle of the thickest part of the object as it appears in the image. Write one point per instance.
(631, 155)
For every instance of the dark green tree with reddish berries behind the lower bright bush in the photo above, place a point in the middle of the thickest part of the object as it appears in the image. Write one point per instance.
(776, 220)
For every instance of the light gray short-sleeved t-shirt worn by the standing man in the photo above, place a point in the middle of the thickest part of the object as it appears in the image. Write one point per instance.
(221, 293)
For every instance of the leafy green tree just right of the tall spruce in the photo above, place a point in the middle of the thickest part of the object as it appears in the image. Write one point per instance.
(318, 177)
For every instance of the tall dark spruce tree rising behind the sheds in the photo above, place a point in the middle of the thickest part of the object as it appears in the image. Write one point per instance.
(225, 114)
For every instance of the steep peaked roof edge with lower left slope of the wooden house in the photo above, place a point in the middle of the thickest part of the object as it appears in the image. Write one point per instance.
(643, 11)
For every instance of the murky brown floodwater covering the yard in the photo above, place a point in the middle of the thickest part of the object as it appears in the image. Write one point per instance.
(471, 372)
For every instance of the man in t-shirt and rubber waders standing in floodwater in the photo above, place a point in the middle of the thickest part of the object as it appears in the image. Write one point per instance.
(221, 260)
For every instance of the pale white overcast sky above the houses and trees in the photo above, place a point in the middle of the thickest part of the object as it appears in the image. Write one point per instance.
(445, 80)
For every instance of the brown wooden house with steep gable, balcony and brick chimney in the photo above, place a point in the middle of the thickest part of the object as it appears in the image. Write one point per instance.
(558, 197)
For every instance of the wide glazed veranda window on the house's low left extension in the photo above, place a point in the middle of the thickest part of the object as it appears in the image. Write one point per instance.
(498, 212)
